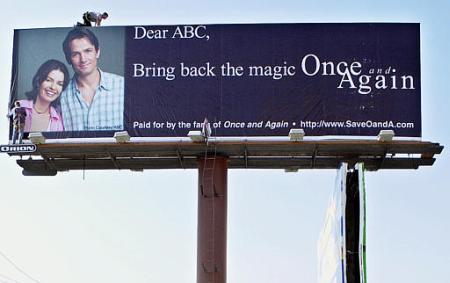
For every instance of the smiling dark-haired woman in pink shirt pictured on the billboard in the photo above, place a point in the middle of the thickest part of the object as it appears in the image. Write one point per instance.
(43, 106)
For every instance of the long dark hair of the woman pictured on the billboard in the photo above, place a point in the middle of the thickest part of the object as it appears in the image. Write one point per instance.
(42, 74)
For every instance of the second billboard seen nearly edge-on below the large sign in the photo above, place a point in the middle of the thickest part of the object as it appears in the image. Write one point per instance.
(341, 248)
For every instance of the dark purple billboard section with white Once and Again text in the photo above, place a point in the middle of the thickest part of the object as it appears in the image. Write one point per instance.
(264, 79)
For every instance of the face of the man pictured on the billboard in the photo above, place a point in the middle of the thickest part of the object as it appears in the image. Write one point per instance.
(83, 56)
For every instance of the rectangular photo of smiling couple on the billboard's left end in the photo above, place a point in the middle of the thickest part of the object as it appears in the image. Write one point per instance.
(74, 99)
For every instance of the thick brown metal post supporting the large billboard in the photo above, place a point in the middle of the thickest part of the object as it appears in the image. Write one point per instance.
(212, 220)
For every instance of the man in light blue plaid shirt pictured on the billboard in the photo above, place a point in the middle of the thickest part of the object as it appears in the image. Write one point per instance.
(93, 100)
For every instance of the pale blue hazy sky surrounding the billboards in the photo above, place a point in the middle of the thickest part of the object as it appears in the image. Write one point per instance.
(122, 226)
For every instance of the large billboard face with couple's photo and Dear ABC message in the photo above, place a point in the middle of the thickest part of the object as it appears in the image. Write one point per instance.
(246, 79)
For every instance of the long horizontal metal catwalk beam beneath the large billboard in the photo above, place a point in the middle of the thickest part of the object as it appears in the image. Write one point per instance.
(251, 154)
